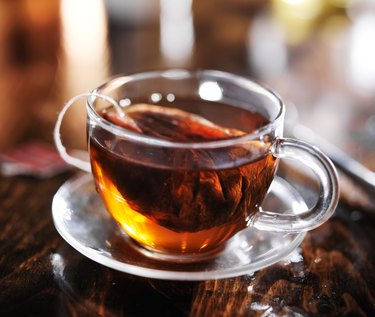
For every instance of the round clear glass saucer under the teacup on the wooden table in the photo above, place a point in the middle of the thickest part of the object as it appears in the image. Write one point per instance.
(82, 220)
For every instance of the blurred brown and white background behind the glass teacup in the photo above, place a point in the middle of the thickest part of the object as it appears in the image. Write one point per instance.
(318, 54)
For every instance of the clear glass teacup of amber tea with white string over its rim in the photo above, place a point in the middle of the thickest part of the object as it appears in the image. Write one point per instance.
(183, 160)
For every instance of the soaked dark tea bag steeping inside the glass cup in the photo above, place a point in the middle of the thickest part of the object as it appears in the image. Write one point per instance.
(185, 199)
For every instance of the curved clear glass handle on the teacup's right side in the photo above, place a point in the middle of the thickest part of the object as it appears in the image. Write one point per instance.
(328, 197)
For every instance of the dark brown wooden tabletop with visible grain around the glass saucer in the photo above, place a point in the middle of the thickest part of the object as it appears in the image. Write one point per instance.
(331, 274)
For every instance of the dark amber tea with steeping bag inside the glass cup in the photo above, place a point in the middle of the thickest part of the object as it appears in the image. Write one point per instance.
(184, 199)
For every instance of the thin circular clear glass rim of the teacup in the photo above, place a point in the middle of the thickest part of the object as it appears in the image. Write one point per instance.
(181, 73)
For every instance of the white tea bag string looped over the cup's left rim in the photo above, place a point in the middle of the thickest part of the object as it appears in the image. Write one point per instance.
(83, 165)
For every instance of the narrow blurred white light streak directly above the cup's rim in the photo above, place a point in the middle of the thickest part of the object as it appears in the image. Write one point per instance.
(176, 30)
